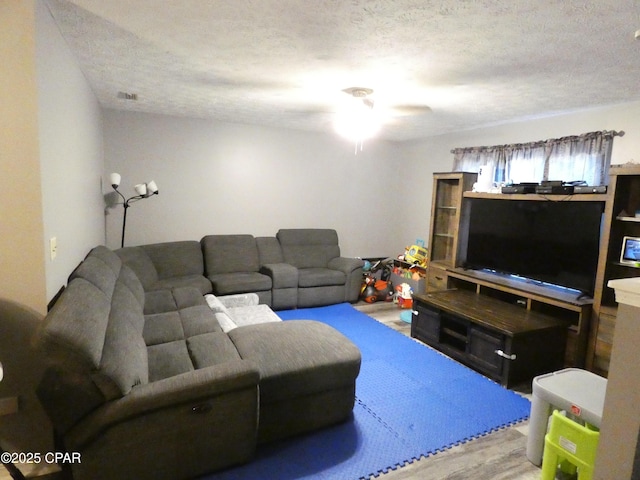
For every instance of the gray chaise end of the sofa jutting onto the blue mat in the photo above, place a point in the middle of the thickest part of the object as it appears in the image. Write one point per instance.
(304, 387)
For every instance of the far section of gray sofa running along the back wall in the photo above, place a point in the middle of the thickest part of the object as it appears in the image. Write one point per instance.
(296, 268)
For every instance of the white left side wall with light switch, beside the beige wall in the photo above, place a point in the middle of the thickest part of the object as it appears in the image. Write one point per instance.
(71, 159)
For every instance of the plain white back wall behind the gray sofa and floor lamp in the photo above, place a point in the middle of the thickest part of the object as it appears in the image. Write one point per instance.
(217, 178)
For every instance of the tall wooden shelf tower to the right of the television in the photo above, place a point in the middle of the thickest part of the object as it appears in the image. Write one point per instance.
(623, 200)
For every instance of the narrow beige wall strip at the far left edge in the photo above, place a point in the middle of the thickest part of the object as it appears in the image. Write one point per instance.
(22, 276)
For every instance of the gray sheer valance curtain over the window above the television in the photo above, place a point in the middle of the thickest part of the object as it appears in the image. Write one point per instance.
(577, 158)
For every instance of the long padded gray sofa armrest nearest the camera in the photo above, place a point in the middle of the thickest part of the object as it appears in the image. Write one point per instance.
(200, 388)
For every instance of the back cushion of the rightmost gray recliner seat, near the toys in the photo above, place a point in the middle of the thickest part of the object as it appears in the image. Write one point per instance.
(308, 247)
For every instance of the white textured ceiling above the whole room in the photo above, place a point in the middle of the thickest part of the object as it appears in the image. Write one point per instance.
(284, 63)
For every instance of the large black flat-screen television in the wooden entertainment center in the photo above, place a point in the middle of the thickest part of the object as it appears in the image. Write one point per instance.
(554, 242)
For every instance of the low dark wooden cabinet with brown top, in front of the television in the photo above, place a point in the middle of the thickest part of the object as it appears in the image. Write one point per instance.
(504, 341)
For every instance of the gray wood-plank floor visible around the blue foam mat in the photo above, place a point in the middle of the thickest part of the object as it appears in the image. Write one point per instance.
(497, 456)
